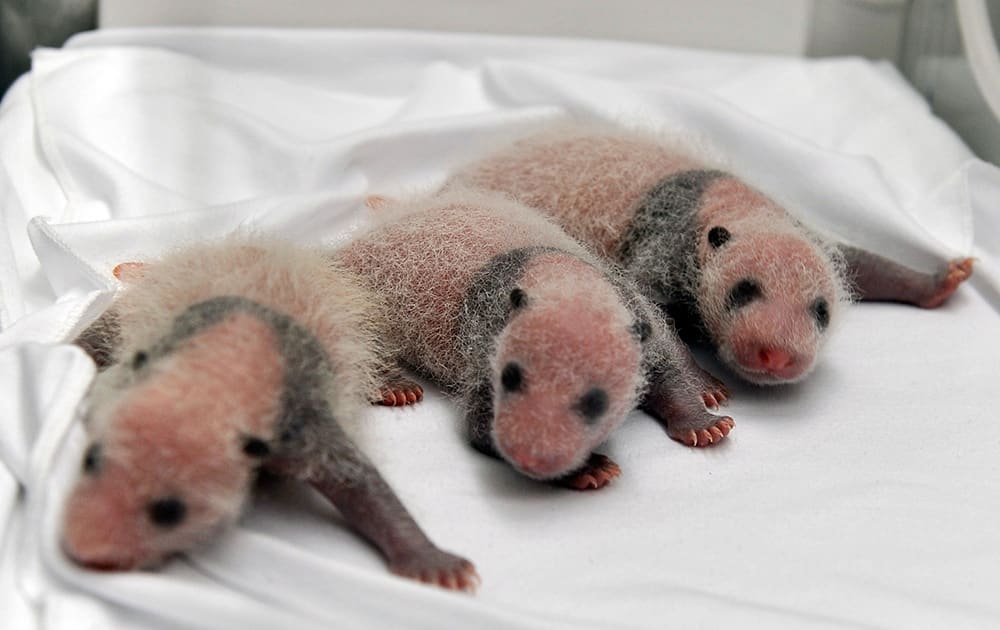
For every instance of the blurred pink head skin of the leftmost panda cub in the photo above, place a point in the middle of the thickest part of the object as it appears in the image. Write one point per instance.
(178, 432)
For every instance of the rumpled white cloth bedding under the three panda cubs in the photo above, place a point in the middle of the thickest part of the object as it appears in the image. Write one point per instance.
(866, 497)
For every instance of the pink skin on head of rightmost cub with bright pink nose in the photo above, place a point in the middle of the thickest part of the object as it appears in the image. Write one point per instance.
(773, 339)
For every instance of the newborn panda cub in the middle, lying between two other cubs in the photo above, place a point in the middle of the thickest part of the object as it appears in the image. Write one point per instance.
(546, 348)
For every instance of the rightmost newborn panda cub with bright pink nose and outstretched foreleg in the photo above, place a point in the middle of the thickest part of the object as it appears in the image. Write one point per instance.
(718, 254)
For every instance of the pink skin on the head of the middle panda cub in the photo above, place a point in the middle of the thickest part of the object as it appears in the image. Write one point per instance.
(539, 429)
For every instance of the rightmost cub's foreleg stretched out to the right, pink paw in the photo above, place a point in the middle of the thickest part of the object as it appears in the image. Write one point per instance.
(876, 278)
